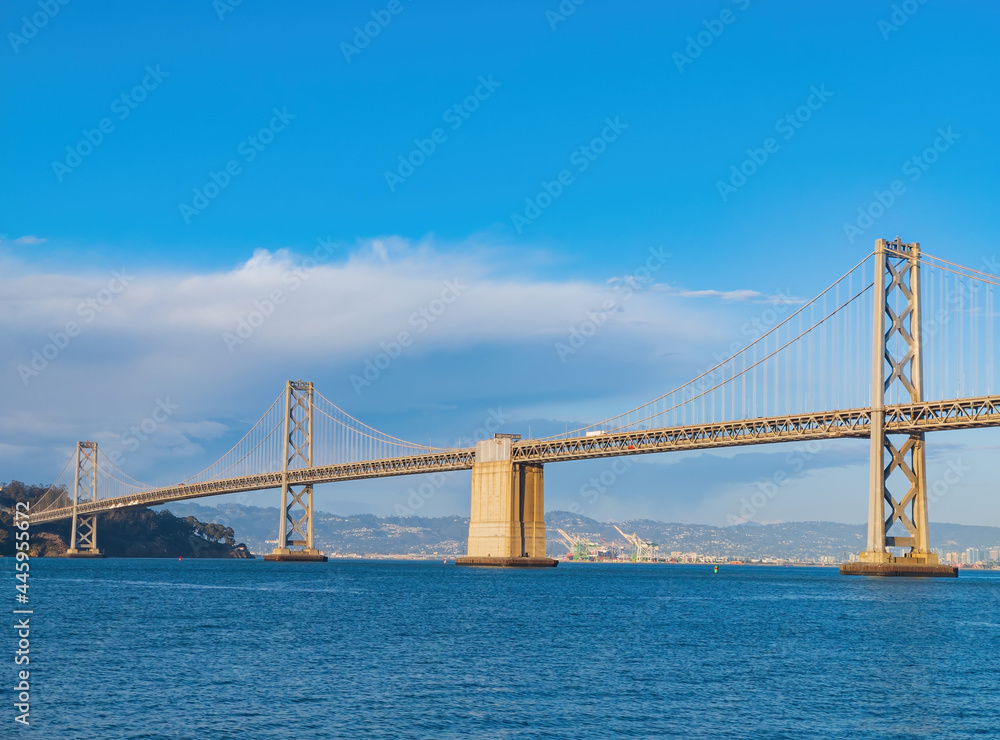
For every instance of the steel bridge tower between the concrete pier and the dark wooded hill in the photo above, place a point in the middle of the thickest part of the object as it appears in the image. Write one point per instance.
(295, 533)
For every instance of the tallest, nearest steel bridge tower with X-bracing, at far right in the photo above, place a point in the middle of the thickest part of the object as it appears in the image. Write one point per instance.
(898, 463)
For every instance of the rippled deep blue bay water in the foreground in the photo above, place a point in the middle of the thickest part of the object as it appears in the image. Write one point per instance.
(247, 649)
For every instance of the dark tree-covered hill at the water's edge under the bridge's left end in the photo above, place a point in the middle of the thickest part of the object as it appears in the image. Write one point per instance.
(128, 533)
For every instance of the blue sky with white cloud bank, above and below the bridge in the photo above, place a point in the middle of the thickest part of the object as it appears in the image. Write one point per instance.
(641, 110)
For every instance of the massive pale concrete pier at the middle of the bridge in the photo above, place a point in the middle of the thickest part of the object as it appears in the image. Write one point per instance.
(507, 526)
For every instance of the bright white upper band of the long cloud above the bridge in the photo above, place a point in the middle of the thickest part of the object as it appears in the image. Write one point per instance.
(346, 306)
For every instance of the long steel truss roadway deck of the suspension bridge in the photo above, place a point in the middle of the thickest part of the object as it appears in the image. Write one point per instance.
(929, 416)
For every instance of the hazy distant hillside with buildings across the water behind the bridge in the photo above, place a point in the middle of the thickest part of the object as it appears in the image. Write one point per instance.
(447, 535)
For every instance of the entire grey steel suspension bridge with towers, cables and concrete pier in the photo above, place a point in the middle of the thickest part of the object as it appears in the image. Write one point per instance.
(902, 344)
